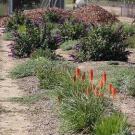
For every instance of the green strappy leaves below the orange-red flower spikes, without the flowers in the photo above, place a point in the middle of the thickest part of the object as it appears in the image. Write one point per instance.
(79, 114)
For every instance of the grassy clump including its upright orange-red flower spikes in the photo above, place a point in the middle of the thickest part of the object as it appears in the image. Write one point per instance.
(82, 102)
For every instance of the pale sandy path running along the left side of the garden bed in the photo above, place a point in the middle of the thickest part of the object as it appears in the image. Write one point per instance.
(13, 120)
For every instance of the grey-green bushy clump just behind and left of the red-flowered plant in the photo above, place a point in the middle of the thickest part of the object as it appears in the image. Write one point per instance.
(56, 71)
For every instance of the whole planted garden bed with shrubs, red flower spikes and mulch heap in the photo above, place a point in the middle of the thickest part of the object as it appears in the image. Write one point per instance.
(80, 97)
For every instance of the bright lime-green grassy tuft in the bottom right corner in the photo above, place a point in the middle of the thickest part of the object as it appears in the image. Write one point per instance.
(115, 124)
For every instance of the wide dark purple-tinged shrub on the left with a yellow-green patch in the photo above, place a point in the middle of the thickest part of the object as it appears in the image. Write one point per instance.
(30, 37)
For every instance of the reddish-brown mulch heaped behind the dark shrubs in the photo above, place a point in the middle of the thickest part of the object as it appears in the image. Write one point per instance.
(89, 14)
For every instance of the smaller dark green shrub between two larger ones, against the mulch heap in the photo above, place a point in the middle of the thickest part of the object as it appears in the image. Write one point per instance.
(72, 30)
